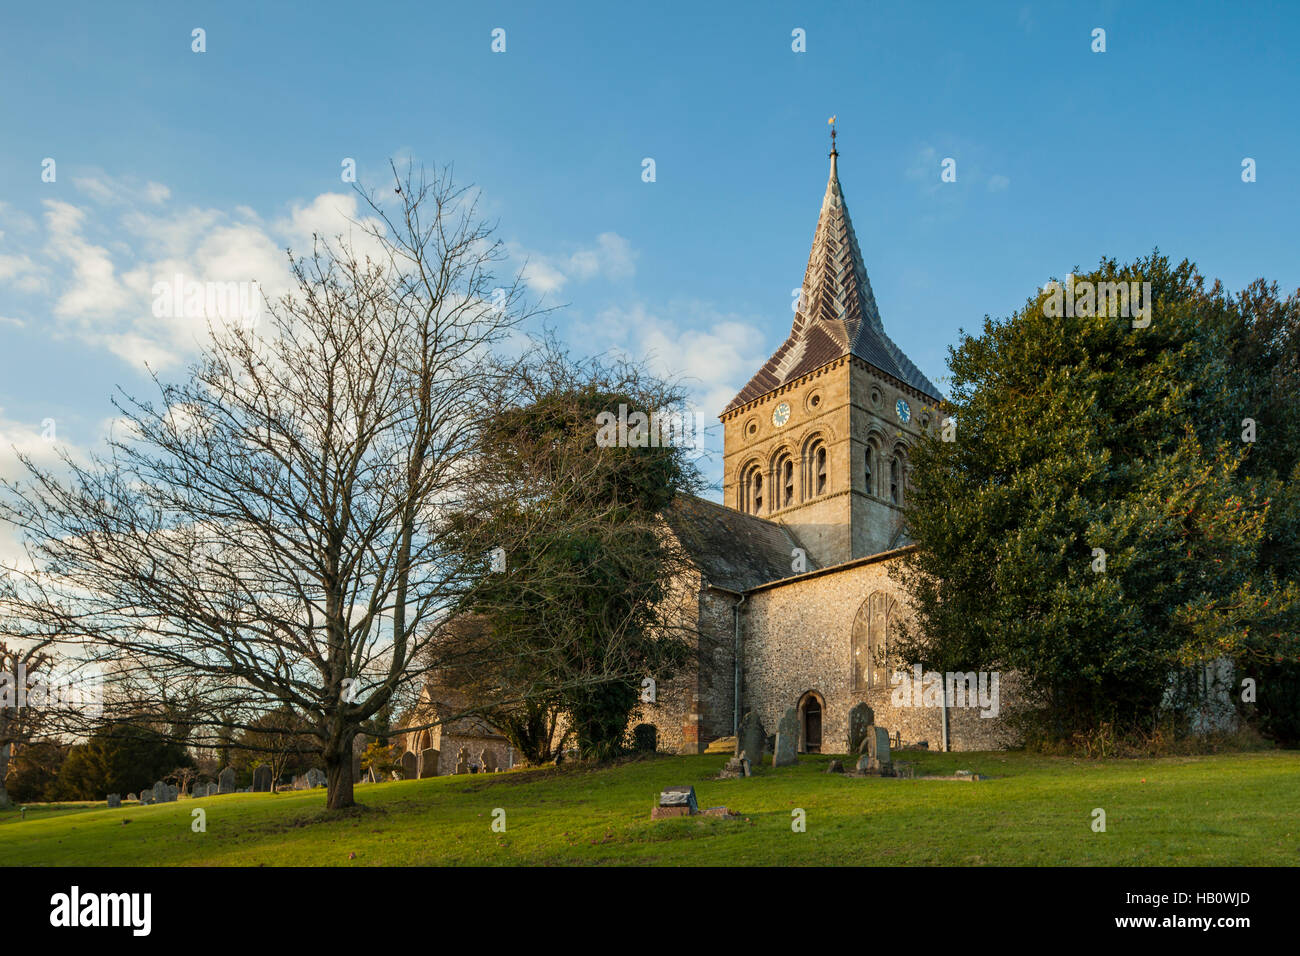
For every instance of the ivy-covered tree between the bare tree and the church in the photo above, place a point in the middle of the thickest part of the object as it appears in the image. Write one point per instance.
(575, 599)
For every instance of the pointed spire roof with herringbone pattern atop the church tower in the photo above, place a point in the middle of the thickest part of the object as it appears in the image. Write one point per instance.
(838, 313)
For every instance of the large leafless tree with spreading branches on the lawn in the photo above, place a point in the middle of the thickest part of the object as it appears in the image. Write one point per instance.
(274, 531)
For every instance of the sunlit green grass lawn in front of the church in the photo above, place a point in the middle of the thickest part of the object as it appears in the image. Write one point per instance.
(1038, 811)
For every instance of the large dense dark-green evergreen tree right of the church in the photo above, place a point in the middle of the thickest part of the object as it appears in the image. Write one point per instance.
(1100, 518)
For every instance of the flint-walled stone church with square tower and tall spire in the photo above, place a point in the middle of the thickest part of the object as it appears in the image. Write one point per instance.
(791, 602)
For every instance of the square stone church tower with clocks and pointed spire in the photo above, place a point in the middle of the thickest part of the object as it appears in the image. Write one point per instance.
(818, 439)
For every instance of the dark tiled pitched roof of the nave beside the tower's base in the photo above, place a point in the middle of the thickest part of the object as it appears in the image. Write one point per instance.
(733, 550)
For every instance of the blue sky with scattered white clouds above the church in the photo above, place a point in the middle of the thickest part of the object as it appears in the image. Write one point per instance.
(216, 161)
